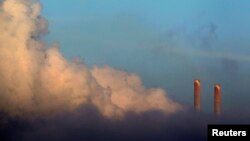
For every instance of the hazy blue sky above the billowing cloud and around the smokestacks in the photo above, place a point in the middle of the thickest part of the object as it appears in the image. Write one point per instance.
(167, 42)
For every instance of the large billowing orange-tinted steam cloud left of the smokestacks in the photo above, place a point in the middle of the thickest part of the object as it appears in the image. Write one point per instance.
(38, 81)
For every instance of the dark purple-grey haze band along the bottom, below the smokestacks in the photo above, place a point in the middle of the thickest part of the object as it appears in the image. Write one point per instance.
(88, 124)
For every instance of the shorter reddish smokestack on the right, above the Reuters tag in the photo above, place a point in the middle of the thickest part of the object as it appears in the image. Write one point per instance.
(217, 98)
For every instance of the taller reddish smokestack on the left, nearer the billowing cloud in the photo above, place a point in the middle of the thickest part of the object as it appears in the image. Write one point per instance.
(197, 99)
